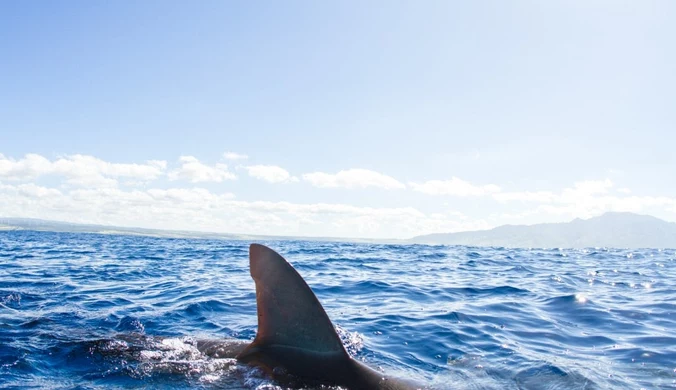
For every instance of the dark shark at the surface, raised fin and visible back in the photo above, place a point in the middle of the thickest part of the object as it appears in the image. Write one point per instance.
(296, 343)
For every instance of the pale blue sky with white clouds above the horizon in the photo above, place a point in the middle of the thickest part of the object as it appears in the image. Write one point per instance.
(372, 119)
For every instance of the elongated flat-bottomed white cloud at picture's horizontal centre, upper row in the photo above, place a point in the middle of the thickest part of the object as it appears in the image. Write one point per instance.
(352, 178)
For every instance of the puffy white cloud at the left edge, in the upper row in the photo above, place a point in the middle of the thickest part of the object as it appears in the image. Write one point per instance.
(81, 170)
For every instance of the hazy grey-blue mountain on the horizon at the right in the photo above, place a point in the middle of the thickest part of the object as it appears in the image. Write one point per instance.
(615, 230)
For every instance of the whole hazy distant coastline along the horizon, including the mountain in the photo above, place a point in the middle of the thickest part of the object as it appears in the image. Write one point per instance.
(615, 230)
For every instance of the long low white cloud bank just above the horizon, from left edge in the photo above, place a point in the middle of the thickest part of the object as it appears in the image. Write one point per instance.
(202, 210)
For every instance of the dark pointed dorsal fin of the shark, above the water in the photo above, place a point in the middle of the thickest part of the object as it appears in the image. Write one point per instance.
(289, 313)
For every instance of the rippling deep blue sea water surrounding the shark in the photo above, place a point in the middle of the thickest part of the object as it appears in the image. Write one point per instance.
(93, 311)
